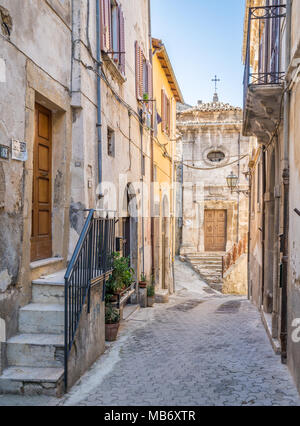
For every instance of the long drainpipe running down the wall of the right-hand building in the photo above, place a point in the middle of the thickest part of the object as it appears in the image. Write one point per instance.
(286, 176)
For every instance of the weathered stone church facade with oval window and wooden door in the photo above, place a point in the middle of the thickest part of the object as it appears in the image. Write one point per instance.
(214, 218)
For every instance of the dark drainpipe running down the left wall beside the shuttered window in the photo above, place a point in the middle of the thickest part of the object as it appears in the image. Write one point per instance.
(99, 117)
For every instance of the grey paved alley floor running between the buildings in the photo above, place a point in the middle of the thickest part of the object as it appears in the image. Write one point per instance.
(202, 348)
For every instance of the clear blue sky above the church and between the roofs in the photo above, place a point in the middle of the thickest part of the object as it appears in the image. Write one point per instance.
(203, 38)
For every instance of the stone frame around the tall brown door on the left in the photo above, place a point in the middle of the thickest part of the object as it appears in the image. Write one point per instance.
(55, 97)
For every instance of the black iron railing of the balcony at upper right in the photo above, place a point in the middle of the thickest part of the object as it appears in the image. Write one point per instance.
(263, 60)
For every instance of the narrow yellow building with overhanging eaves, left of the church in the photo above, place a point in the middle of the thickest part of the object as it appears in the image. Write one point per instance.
(166, 95)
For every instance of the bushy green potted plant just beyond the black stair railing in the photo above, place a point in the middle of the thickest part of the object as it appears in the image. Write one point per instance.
(122, 275)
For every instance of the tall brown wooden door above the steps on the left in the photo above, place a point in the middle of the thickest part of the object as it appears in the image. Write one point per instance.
(41, 240)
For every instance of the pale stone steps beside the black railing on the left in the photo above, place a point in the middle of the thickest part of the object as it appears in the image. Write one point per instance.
(35, 356)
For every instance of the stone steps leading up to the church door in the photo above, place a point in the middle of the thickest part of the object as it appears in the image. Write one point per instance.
(208, 266)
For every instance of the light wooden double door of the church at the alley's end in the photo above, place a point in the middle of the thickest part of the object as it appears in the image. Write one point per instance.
(215, 230)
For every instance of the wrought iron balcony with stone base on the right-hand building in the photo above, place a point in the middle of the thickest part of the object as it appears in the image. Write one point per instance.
(264, 73)
